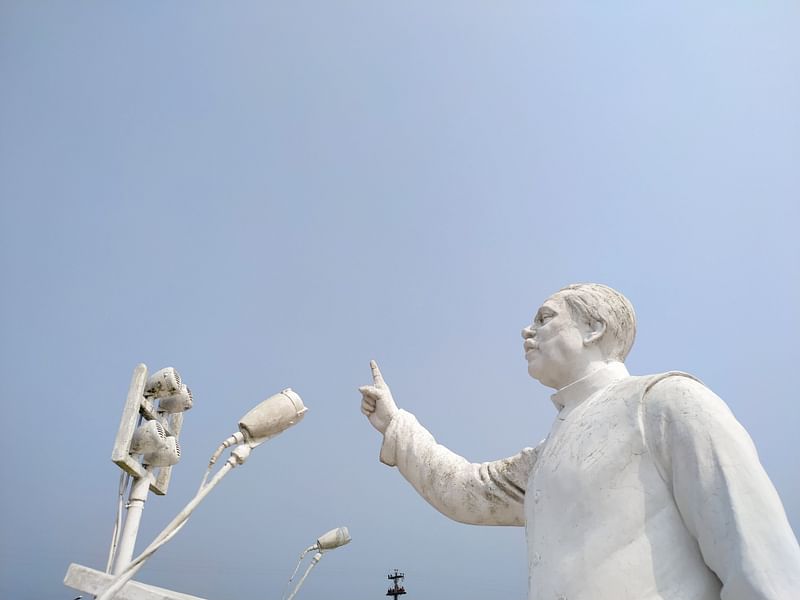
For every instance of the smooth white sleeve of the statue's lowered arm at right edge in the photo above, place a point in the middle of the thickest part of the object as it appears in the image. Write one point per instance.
(725, 497)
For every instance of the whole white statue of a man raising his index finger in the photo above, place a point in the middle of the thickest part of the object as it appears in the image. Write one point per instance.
(645, 488)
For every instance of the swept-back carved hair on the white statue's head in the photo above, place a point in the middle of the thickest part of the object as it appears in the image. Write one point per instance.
(594, 301)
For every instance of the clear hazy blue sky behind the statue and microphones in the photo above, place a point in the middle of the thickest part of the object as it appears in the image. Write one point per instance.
(265, 194)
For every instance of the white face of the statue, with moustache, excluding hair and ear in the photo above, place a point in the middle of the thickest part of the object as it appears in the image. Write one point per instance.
(554, 344)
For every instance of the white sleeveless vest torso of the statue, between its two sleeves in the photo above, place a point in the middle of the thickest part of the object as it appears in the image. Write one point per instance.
(601, 521)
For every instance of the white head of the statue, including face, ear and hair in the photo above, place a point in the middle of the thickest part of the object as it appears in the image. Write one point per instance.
(576, 329)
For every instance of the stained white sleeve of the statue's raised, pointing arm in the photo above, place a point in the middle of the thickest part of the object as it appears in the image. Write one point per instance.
(490, 493)
